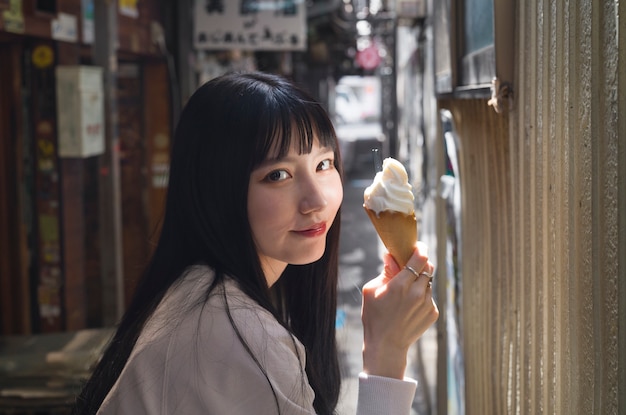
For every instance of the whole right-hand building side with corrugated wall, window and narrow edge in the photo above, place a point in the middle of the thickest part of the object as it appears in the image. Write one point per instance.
(533, 281)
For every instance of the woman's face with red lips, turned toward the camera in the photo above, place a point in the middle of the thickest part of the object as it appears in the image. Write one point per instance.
(292, 203)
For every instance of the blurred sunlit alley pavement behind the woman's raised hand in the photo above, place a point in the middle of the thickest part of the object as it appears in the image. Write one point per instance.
(360, 260)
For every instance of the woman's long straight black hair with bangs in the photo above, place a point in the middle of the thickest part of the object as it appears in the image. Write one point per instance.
(228, 127)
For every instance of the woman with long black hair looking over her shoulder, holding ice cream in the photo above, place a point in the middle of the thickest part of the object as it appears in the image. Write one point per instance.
(235, 313)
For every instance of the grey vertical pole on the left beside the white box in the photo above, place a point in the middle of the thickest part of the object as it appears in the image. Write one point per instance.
(109, 186)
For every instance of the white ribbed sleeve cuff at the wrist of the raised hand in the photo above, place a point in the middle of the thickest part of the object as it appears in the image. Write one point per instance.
(384, 396)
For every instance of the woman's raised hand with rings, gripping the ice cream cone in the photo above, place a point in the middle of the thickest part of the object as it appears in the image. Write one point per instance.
(397, 309)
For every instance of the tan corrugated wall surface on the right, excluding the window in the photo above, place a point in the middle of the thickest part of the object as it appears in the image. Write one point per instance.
(544, 219)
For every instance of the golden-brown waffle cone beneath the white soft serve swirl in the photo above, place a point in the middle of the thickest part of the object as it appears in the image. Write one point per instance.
(398, 231)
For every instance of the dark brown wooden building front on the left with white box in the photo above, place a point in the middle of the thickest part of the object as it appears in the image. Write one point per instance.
(60, 203)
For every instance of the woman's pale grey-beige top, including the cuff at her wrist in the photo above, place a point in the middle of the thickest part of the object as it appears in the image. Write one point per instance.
(189, 360)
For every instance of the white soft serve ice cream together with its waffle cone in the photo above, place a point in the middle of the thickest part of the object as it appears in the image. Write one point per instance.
(389, 203)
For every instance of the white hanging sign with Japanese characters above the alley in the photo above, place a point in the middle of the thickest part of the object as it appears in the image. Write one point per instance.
(250, 24)
